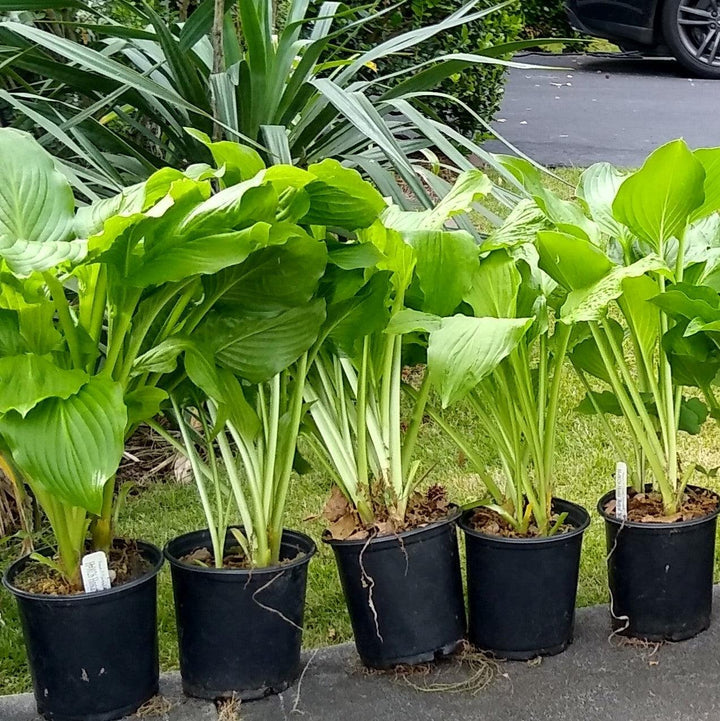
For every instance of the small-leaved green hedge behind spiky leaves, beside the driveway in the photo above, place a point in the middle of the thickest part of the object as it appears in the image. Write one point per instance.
(480, 87)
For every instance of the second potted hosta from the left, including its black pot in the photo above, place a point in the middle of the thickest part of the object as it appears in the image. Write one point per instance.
(240, 584)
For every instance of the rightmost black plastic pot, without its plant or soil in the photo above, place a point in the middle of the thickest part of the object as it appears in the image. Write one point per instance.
(660, 575)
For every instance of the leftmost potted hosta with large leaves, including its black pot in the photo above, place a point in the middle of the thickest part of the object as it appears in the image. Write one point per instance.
(94, 306)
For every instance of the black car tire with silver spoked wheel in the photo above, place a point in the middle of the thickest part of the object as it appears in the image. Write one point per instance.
(692, 33)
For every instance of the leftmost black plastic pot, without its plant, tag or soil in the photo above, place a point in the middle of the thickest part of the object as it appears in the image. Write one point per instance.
(93, 657)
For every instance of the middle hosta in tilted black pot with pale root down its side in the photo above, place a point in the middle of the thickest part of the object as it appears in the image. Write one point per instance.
(395, 544)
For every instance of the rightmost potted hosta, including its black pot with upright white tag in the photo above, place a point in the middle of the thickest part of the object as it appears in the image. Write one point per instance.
(618, 276)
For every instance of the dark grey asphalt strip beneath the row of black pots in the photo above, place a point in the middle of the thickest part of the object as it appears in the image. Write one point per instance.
(596, 679)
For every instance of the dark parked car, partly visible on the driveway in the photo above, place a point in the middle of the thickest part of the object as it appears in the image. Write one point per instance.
(688, 29)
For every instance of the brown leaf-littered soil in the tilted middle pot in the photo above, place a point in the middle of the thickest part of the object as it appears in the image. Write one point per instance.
(423, 509)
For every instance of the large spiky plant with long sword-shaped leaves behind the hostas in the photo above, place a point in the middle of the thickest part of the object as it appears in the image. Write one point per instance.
(118, 105)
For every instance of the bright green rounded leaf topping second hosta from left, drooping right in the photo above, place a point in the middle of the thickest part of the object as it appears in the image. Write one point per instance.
(340, 197)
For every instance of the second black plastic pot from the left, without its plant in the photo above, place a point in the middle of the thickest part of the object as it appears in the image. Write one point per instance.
(239, 631)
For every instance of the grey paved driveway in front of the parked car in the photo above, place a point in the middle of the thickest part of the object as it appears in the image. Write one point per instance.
(604, 108)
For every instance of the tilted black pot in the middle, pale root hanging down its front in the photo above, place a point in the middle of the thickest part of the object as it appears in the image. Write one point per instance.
(404, 594)
